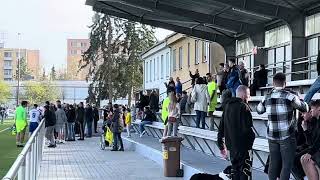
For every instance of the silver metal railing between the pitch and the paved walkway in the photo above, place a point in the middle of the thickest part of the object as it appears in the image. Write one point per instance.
(27, 164)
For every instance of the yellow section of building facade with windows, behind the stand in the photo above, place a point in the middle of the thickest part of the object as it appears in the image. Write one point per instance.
(189, 54)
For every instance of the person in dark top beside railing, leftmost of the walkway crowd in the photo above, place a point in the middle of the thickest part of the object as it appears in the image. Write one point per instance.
(50, 122)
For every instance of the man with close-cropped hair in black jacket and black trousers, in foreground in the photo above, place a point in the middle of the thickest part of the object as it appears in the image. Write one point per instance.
(236, 128)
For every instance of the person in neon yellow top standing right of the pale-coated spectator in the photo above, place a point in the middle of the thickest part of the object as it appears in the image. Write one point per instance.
(212, 89)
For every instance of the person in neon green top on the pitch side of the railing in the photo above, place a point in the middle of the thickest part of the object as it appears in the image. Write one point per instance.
(21, 123)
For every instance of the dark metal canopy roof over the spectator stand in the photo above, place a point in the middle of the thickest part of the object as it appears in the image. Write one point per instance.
(222, 21)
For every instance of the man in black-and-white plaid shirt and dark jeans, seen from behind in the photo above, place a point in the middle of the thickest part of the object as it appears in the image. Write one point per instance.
(280, 105)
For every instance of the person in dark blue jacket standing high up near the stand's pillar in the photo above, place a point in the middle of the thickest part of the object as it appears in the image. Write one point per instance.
(233, 79)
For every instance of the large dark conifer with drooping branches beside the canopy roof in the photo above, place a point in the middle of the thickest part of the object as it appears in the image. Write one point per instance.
(114, 56)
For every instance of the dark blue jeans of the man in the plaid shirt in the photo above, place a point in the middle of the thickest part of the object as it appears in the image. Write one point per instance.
(282, 155)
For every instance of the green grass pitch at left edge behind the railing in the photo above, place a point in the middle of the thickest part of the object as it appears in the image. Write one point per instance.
(8, 148)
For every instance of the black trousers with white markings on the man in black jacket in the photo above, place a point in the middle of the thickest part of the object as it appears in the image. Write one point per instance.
(241, 165)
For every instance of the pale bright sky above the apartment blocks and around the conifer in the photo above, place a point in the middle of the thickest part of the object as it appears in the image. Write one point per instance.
(46, 25)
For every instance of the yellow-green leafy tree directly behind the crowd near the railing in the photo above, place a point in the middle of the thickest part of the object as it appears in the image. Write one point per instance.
(39, 92)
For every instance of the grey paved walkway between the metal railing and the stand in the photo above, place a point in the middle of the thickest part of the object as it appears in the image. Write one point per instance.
(84, 160)
